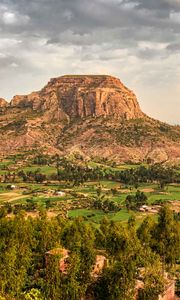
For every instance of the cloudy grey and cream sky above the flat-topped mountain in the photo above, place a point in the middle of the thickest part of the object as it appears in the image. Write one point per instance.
(135, 40)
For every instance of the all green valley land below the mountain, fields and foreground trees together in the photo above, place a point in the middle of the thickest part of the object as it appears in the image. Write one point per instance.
(143, 246)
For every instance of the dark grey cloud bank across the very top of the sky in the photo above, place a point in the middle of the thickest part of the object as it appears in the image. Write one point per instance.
(81, 22)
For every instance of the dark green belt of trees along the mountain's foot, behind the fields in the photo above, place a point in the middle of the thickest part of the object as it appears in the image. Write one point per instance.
(78, 172)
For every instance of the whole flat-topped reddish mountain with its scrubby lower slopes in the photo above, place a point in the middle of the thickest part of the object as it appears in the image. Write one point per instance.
(94, 115)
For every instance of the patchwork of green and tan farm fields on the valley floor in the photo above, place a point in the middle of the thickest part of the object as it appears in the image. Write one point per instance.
(62, 197)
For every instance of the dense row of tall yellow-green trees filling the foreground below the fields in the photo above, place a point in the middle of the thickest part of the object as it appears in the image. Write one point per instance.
(25, 274)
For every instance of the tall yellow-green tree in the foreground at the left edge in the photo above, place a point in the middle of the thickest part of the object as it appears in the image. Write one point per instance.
(15, 258)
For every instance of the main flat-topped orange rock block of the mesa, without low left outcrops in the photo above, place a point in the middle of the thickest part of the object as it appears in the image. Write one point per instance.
(93, 95)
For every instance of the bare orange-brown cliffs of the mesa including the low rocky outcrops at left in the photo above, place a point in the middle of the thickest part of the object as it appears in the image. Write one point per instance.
(82, 96)
